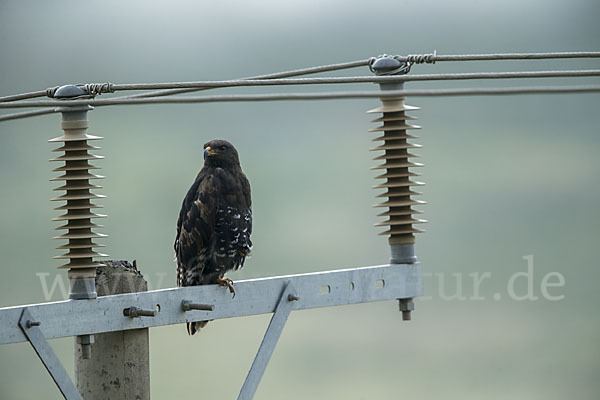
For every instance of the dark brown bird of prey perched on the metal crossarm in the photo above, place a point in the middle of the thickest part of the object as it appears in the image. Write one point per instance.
(215, 222)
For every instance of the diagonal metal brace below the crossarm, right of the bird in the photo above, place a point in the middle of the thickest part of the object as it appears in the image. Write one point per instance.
(280, 316)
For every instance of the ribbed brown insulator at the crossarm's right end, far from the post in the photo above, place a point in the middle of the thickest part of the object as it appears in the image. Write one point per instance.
(397, 163)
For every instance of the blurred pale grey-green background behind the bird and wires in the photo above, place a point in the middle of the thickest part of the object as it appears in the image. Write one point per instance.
(507, 177)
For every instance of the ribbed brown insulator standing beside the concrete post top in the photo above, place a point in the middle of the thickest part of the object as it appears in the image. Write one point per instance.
(78, 197)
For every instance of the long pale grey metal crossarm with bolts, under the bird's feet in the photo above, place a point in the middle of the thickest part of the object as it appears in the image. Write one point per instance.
(255, 296)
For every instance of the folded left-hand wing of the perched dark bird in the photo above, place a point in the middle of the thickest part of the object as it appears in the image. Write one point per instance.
(195, 227)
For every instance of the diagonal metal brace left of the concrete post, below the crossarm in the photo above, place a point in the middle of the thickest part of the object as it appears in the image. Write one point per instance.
(31, 329)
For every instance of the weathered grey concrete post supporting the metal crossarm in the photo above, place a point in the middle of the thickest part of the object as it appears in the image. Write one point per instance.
(119, 367)
